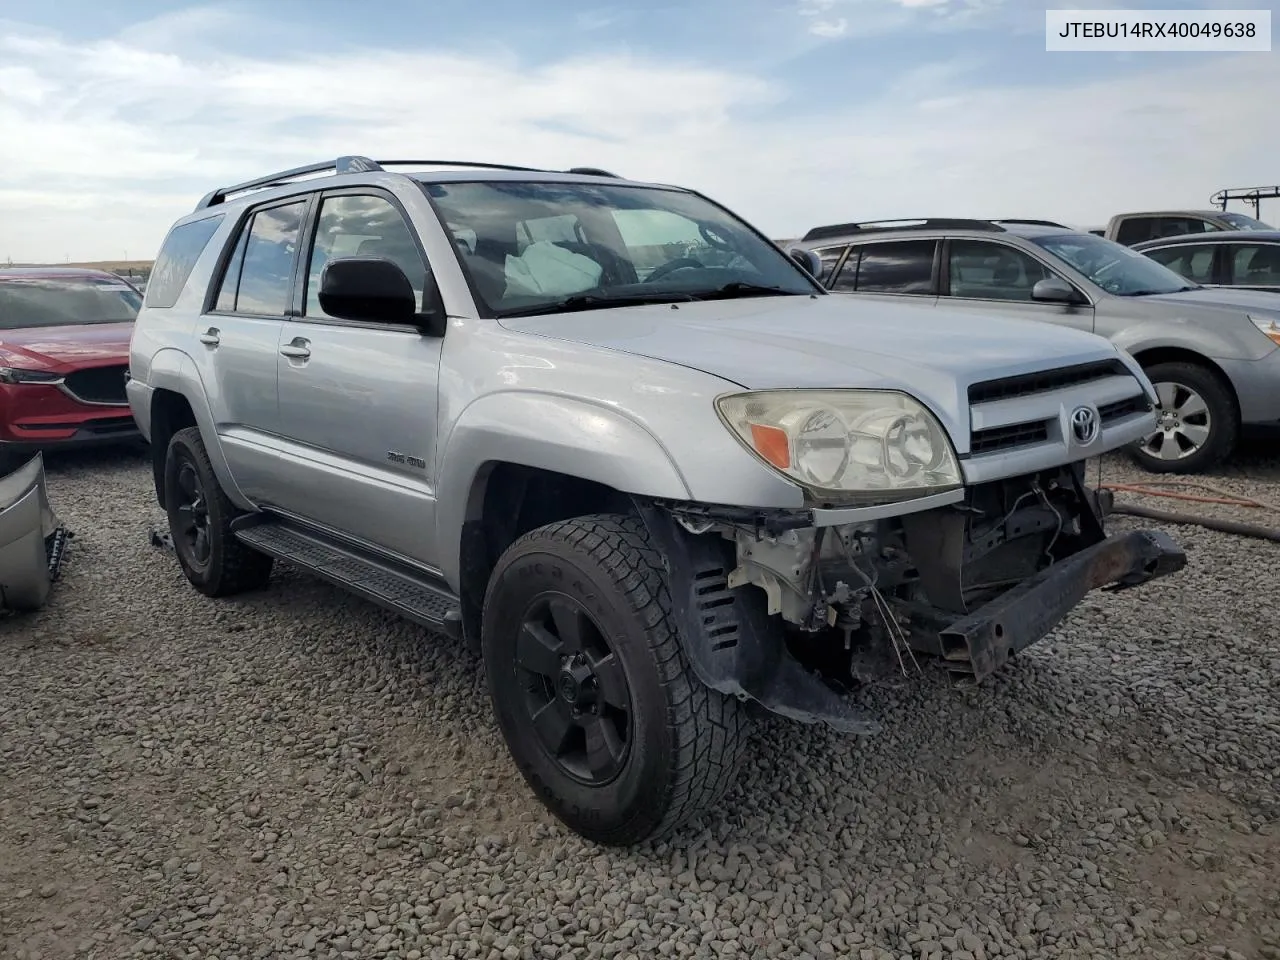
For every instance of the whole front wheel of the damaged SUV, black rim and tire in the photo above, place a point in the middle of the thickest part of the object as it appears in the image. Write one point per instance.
(593, 694)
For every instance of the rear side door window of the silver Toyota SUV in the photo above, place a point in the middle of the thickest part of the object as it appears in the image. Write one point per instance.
(259, 278)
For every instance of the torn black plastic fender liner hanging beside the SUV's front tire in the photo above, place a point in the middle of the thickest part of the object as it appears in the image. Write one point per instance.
(728, 636)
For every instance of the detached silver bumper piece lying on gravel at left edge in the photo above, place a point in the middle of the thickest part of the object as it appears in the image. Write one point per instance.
(33, 540)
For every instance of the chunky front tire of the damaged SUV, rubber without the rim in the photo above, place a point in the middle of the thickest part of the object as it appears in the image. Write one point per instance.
(688, 740)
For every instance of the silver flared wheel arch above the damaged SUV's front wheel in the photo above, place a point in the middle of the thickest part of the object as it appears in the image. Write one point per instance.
(566, 436)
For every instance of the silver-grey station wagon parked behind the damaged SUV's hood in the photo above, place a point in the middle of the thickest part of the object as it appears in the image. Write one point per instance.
(1214, 355)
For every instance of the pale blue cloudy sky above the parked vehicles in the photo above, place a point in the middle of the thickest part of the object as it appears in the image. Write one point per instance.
(117, 116)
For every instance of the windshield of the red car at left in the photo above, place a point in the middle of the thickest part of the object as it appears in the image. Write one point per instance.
(60, 301)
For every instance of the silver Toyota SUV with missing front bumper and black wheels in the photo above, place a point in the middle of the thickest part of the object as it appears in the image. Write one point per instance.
(615, 438)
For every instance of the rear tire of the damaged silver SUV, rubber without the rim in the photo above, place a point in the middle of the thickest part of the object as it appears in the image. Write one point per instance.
(232, 568)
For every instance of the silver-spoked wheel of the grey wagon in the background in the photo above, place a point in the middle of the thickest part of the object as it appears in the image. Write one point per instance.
(1199, 423)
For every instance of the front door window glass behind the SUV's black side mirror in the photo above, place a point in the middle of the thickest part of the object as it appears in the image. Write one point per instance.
(367, 227)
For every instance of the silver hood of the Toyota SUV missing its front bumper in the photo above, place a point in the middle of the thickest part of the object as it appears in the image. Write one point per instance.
(831, 341)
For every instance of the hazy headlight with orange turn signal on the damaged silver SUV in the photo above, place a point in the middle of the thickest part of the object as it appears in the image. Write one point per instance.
(851, 446)
